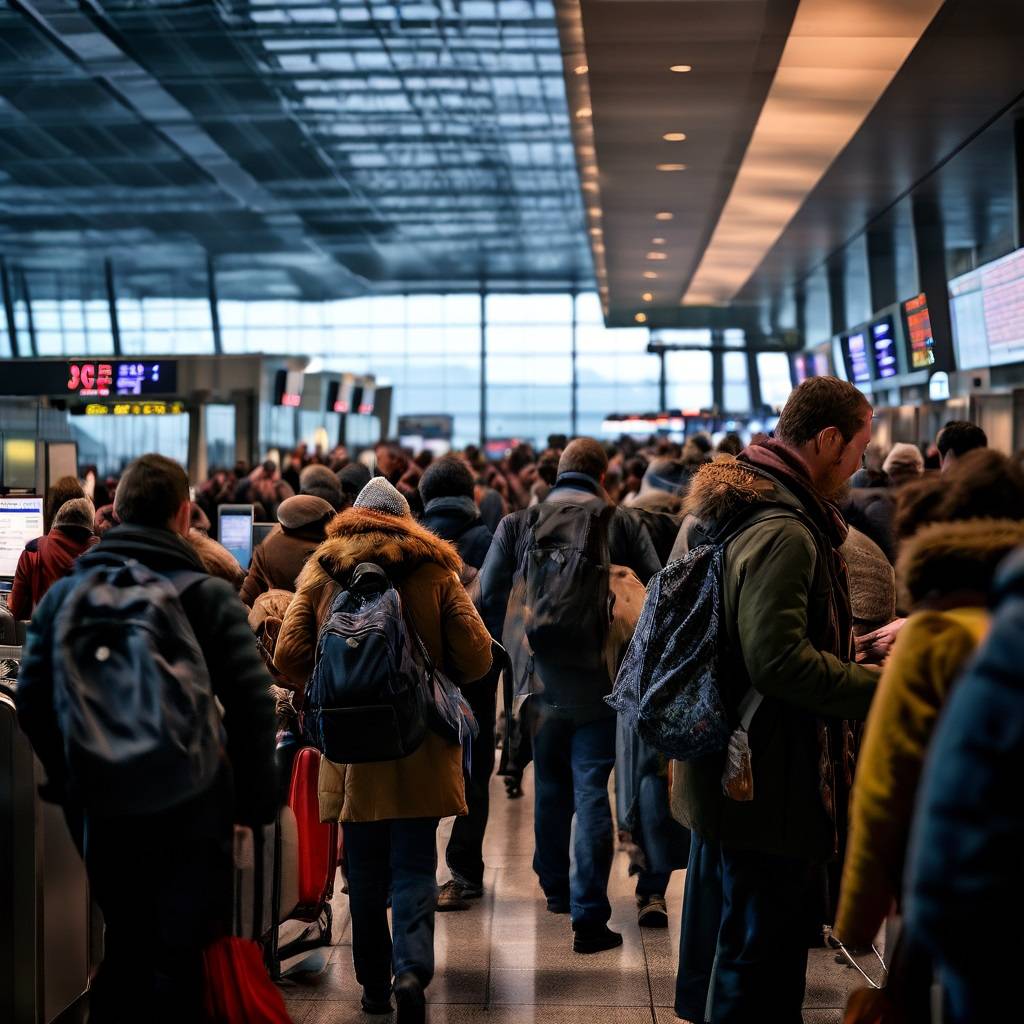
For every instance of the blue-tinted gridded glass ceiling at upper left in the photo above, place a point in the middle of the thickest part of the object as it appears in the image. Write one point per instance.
(315, 149)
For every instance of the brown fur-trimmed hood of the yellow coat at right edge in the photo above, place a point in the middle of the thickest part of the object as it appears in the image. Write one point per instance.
(947, 561)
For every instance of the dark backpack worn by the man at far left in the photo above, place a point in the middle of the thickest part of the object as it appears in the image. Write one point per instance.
(132, 692)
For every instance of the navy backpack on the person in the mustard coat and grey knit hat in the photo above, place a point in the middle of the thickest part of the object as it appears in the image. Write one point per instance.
(367, 699)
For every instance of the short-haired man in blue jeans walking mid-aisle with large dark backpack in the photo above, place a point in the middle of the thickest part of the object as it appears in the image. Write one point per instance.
(548, 570)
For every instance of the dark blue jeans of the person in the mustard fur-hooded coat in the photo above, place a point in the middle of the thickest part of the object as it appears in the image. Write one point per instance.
(398, 858)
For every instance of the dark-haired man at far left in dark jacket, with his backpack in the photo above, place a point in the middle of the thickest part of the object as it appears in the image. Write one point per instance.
(123, 667)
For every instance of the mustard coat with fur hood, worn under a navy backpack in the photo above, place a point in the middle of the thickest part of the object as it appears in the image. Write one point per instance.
(425, 571)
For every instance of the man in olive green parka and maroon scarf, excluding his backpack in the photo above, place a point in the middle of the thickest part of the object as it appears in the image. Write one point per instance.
(787, 644)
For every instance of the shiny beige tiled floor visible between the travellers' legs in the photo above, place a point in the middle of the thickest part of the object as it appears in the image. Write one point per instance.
(509, 962)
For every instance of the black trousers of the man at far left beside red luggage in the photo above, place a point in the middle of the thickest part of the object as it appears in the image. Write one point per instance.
(164, 883)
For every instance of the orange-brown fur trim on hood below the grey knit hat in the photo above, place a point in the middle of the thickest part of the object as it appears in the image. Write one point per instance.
(364, 536)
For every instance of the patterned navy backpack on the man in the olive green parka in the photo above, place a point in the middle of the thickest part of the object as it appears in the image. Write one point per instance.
(669, 687)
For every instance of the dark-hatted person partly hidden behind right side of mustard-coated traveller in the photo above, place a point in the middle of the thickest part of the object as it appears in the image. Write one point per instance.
(447, 489)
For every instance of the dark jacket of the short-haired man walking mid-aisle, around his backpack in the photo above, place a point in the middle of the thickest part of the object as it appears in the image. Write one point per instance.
(502, 590)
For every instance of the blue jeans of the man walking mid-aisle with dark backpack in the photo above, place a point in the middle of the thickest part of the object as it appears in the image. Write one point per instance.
(572, 763)
